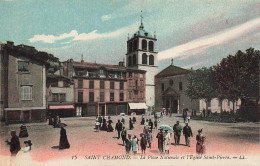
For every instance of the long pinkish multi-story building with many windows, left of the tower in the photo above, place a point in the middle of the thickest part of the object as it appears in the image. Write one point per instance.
(102, 89)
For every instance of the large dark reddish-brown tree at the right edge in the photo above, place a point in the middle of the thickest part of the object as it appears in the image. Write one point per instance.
(237, 77)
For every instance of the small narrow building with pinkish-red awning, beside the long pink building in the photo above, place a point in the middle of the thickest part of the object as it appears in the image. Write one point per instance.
(60, 92)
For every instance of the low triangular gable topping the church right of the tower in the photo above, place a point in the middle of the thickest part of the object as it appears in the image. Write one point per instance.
(172, 71)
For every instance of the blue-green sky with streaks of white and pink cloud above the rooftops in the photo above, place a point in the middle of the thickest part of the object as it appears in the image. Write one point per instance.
(194, 33)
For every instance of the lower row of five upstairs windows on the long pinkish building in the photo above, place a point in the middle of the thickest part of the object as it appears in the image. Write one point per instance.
(102, 96)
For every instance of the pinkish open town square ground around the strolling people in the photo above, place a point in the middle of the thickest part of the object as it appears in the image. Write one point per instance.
(221, 138)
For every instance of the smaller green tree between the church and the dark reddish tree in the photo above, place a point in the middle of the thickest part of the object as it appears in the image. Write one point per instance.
(201, 85)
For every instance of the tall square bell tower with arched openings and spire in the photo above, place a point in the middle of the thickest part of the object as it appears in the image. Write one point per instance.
(141, 54)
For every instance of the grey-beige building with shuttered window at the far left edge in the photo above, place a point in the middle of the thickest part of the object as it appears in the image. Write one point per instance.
(23, 84)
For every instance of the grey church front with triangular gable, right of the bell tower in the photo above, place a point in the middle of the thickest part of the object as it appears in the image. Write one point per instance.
(170, 85)
